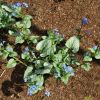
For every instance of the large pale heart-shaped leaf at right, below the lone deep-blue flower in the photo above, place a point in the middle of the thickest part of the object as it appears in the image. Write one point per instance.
(73, 43)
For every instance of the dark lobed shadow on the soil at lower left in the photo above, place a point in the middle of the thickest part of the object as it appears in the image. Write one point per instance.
(14, 86)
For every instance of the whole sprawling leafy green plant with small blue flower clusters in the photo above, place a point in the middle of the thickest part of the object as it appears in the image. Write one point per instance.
(41, 55)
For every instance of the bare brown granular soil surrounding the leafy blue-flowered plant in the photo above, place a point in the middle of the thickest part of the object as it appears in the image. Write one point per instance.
(65, 15)
